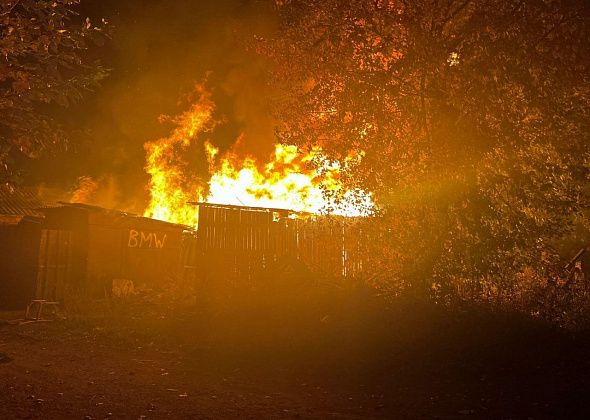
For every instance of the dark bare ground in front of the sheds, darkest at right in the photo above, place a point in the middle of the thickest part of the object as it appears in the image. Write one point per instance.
(292, 358)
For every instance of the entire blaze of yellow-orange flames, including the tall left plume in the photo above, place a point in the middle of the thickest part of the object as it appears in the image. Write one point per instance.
(291, 179)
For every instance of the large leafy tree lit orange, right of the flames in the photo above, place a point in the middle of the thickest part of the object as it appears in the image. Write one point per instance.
(473, 118)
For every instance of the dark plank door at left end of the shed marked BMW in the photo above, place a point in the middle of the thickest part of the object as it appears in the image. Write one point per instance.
(54, 263)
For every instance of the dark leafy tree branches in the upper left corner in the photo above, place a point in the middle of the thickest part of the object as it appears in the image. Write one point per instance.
(43, 61)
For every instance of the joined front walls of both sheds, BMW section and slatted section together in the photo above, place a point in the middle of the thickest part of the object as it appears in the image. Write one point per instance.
(233, 246)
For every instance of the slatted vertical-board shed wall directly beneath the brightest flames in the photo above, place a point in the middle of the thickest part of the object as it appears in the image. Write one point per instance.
(238, 243)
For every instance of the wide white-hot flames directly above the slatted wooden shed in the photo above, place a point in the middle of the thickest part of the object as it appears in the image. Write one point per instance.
(290, 180)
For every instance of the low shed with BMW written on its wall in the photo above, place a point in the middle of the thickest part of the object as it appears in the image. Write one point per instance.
(86, 249)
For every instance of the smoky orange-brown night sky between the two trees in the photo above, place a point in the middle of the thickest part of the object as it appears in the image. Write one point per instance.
(159, 50)
